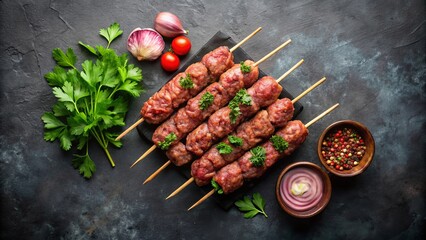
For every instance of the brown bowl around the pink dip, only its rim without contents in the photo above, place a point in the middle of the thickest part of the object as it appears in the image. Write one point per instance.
(317, 207)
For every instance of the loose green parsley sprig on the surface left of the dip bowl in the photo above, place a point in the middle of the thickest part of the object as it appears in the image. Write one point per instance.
(252, 207)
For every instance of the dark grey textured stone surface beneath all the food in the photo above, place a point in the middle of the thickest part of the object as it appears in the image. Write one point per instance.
(373, 54)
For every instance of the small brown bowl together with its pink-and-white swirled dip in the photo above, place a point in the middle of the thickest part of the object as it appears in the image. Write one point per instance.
(303, 189)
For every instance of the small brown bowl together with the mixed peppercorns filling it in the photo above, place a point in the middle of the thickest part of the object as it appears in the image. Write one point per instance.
(346, 148)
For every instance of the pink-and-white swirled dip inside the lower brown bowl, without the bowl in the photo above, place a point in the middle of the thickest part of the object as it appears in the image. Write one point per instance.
(301, 188)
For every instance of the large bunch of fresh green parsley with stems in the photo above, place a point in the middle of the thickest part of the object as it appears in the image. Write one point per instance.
(91, 101)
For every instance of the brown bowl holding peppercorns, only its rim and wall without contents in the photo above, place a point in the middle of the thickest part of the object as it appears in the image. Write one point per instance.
(369, 151)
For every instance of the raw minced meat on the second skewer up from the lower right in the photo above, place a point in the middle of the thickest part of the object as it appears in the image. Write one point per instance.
(252, 132)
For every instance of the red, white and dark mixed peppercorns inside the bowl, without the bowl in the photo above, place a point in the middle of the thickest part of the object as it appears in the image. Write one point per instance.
(343, 148)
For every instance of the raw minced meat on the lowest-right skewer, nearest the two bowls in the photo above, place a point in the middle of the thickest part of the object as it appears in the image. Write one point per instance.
(232, 176)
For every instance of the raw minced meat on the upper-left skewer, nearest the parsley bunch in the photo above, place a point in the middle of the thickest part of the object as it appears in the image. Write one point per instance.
(161, 105)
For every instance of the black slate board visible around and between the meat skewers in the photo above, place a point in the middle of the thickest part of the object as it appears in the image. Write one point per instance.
(146, 130)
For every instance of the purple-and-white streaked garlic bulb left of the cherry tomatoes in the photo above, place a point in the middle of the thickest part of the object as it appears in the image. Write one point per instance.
(145, 44)
